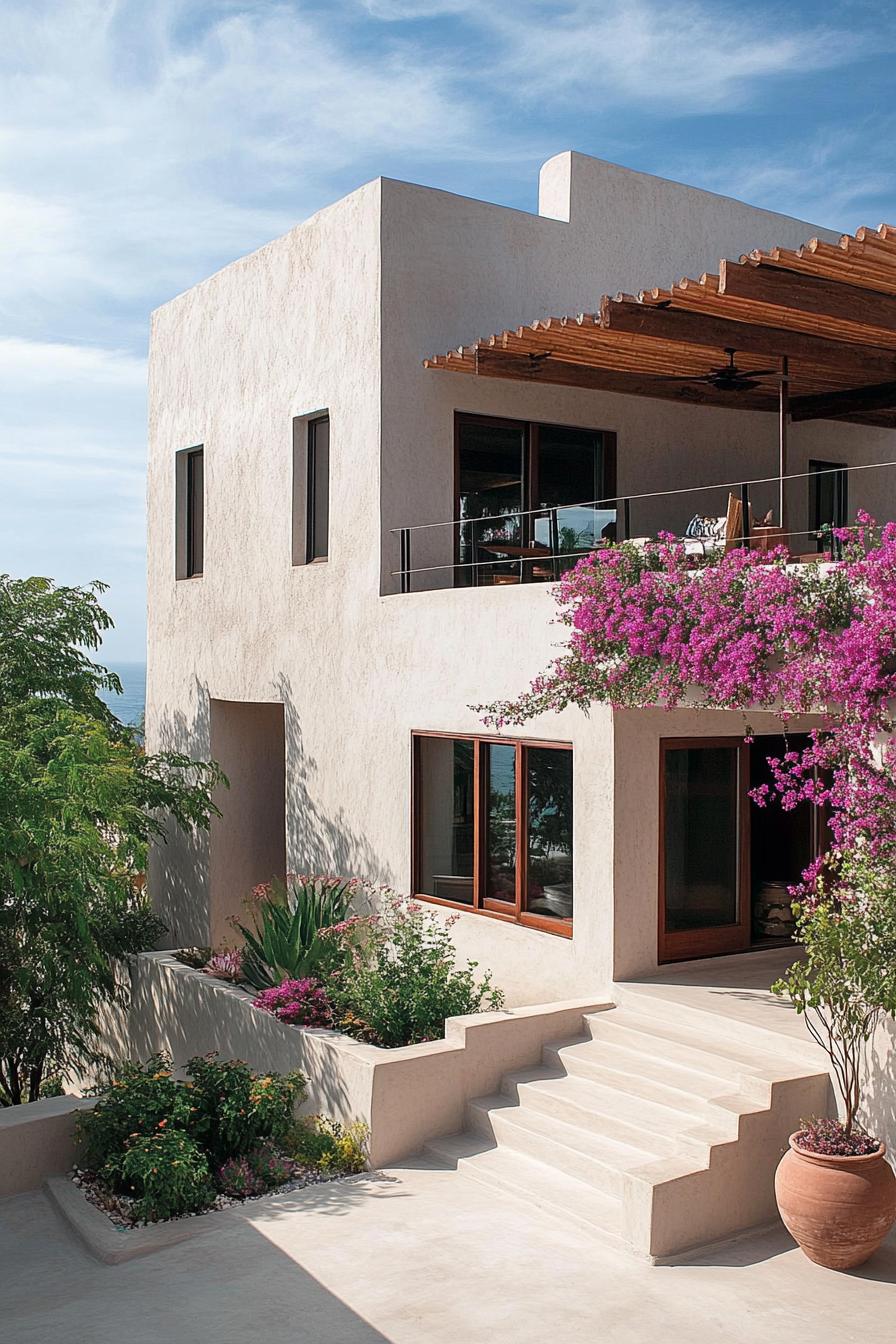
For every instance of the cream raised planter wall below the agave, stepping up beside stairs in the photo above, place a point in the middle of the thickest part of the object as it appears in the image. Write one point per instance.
(406, 1096)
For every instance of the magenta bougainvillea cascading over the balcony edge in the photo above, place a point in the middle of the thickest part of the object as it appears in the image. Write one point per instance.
(748, 631)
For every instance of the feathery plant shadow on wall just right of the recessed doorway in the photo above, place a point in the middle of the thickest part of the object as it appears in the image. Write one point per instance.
(319, 841)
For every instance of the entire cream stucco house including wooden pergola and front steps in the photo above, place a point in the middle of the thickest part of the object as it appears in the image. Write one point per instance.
(358, 501)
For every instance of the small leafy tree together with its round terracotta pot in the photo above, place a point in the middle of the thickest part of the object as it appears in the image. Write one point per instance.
(835, 1187)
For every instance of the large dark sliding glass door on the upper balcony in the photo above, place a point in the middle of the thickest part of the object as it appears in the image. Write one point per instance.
(526, 498)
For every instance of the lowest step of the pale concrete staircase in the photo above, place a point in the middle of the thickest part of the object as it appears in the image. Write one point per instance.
(534, 1182)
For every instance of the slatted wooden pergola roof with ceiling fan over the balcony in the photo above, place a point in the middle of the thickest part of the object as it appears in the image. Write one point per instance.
(813, 333)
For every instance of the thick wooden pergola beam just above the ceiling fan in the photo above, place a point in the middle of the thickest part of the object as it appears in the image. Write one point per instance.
(697, 329)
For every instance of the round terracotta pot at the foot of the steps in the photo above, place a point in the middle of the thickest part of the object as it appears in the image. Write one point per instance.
(838, 1209)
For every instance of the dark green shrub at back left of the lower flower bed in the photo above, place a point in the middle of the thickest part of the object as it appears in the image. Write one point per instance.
(139, 1097)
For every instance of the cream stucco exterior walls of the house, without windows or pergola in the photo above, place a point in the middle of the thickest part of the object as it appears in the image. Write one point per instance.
(338, 317)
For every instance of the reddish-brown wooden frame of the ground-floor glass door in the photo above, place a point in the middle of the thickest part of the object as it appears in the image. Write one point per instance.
(726, 940)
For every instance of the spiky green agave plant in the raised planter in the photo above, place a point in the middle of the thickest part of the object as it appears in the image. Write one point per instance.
(285, 943)
